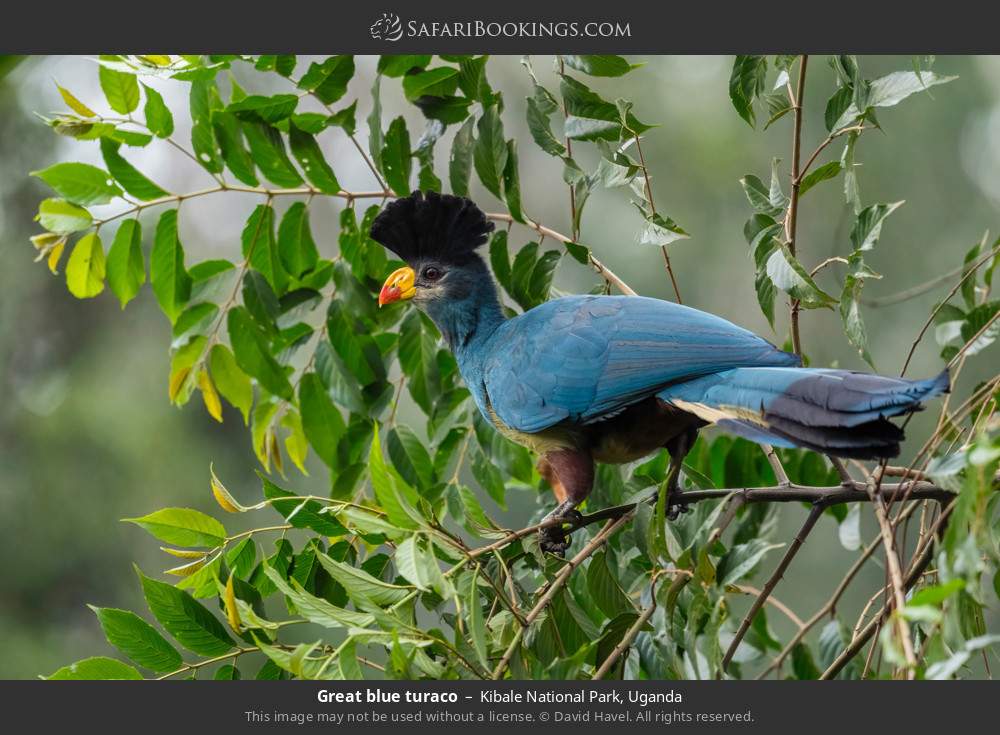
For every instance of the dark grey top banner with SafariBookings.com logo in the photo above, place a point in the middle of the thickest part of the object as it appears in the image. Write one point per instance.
(510, 27)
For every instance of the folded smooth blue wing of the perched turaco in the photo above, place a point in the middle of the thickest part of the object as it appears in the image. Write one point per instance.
(585, 358)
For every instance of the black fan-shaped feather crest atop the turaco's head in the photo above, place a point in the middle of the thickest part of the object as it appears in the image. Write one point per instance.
(431, 225)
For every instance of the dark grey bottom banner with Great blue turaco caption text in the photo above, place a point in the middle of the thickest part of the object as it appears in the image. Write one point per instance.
(404, 707)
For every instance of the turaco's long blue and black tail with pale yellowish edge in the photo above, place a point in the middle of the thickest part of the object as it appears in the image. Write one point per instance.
(836, 412)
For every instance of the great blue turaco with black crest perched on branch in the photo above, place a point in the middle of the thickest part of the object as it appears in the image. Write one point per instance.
(588, 379)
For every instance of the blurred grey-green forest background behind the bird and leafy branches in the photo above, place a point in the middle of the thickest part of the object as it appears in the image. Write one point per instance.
(87, 435)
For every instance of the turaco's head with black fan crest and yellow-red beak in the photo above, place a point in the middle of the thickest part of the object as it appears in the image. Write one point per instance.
(437, 236)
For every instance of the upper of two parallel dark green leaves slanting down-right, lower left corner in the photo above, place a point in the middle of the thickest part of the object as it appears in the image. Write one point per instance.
(185, 618)
